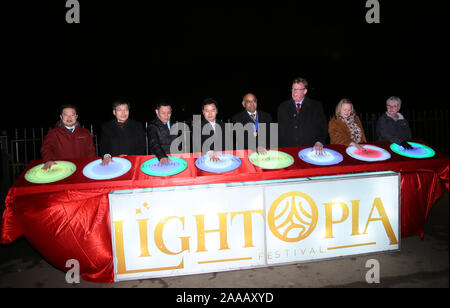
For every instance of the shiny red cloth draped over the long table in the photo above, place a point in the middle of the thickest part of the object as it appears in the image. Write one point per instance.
(69, 219)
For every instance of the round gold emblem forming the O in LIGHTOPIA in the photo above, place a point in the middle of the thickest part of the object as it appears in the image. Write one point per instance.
(293, 216)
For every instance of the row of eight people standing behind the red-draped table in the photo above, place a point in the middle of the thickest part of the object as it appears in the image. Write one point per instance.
(301, 122)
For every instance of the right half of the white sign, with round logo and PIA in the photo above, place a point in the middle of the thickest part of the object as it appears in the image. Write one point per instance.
(327, 219)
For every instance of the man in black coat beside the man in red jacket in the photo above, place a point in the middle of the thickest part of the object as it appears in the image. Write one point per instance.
(121, 135)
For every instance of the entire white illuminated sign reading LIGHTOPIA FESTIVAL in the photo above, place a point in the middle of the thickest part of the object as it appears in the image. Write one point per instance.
(199, 229)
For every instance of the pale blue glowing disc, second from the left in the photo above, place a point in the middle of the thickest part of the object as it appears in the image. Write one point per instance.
(117, 167)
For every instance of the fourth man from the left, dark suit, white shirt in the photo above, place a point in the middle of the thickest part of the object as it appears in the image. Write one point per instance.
(213, 130)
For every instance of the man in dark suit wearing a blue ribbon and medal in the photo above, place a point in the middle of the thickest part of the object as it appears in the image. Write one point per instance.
(256, 118)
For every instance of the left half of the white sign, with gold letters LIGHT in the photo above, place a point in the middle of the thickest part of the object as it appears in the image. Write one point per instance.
(169, 233)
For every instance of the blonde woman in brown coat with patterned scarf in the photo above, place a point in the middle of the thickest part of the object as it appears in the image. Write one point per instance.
(345, 127)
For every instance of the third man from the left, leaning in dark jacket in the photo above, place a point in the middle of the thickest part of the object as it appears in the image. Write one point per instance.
(158, 130)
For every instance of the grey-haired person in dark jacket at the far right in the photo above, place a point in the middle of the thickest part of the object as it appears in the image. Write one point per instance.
(392, 125)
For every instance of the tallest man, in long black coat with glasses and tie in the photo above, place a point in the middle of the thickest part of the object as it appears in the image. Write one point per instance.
(301, 120)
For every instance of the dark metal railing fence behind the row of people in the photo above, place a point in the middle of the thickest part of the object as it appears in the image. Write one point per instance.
(20, 146)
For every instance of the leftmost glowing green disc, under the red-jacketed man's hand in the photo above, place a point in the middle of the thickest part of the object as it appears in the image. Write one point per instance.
(60, 171)
